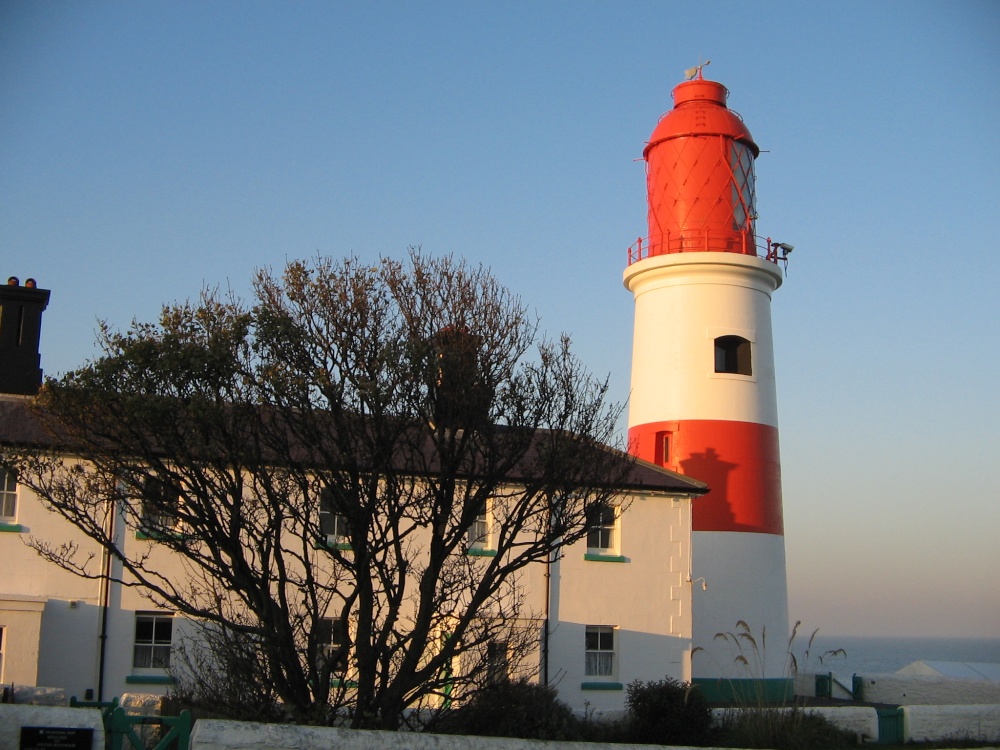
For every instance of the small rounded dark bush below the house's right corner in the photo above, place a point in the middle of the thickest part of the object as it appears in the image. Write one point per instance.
(667, 712)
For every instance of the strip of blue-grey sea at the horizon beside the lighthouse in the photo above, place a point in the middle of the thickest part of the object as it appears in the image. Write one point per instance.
(886, 655)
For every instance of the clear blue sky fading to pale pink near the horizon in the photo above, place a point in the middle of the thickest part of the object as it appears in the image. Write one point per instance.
(148, 150)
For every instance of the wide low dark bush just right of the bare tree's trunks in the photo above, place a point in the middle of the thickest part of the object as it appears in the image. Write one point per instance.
(513, 709)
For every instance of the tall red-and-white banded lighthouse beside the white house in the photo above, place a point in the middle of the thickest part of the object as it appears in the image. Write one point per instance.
(703, 398)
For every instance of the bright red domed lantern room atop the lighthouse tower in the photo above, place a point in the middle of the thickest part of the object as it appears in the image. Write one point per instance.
(700, 176)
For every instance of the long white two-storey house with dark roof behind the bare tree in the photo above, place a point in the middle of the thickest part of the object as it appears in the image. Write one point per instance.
(618, 602)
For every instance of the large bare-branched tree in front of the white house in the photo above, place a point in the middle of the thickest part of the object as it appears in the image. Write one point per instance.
(384, 447)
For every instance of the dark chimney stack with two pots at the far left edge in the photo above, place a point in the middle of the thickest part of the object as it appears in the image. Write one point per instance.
(20, 330)
